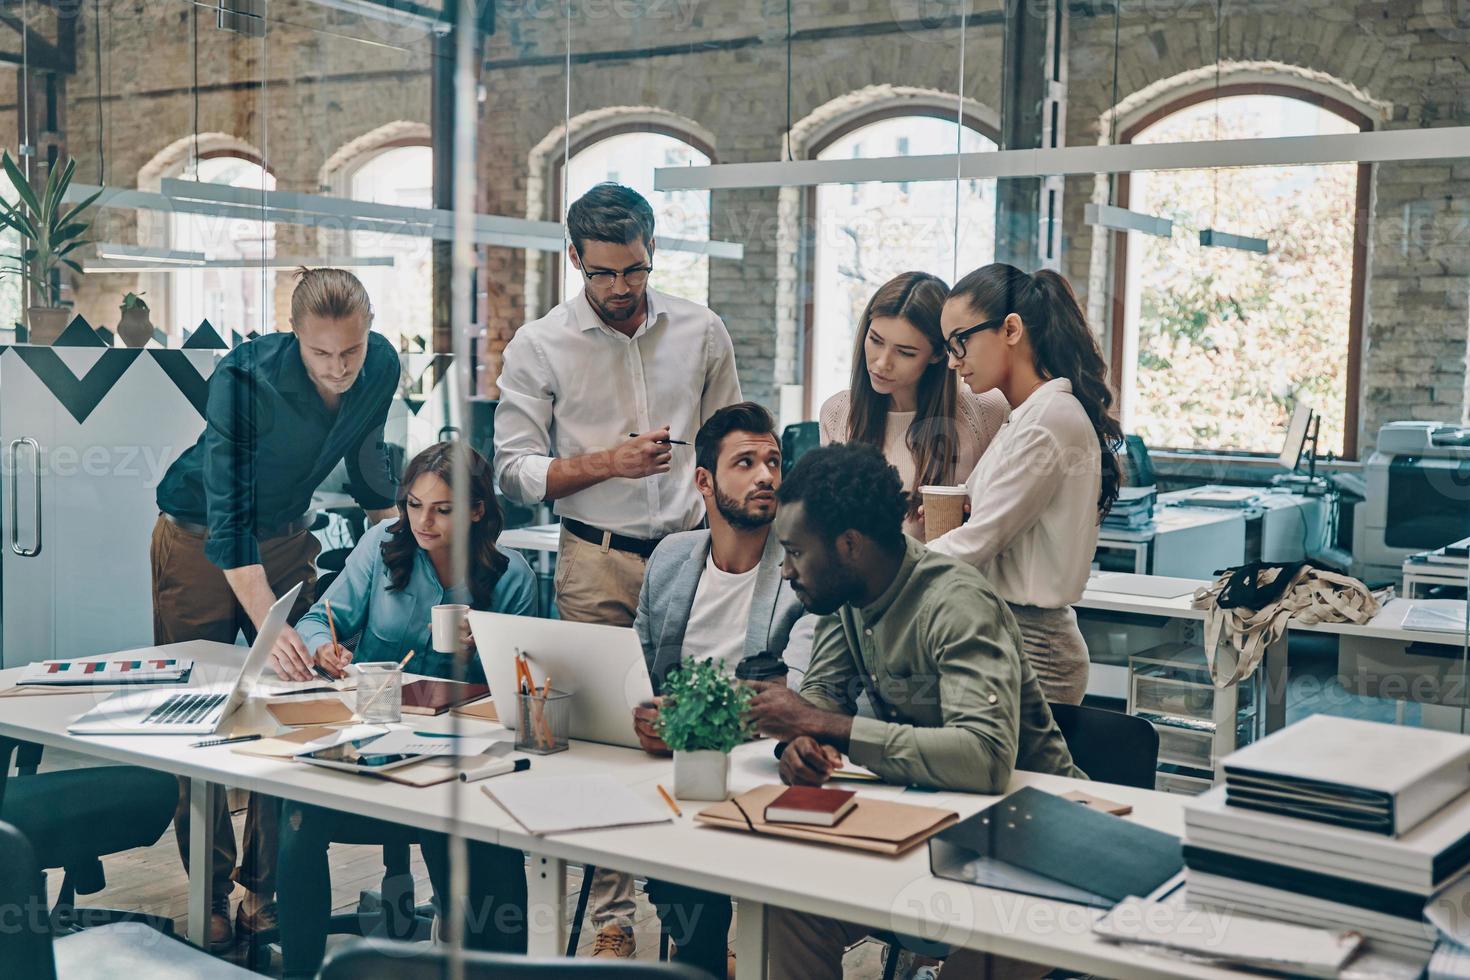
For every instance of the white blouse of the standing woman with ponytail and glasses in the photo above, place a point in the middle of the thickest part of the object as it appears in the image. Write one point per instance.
(1034, 503)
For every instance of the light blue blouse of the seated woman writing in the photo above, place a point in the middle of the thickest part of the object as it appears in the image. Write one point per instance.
(390, 624)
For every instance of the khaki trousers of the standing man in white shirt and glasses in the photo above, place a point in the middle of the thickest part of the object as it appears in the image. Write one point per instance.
(600, 586)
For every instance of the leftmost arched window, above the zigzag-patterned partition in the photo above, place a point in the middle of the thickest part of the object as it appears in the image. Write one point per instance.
(239, 298)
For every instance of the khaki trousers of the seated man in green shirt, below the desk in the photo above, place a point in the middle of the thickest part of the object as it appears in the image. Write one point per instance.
(811, 948)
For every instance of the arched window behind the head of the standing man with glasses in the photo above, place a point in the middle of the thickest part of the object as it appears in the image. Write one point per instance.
(630, 158)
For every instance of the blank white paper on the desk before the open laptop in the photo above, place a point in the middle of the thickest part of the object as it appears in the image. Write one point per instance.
(576, 803)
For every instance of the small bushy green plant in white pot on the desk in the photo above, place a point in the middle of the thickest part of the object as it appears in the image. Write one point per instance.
(702, 721)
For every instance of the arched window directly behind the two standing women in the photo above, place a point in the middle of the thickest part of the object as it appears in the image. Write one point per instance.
(870, 233)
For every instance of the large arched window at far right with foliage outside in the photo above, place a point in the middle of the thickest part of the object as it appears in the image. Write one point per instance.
(1219, 345)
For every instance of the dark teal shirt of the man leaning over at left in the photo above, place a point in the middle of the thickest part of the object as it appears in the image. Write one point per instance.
(270, 442)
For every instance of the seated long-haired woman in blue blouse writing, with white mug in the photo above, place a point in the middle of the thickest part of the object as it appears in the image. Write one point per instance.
(393, 594)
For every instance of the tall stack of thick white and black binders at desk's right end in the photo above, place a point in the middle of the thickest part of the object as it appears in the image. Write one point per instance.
(1335, 824)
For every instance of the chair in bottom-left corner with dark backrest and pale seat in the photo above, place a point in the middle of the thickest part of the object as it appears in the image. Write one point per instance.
(120, 950)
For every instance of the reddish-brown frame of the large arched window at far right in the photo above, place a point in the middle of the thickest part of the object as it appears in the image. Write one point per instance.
(1118, 308)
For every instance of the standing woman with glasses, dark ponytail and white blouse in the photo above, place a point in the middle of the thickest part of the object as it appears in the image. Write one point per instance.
(1052, 474)
